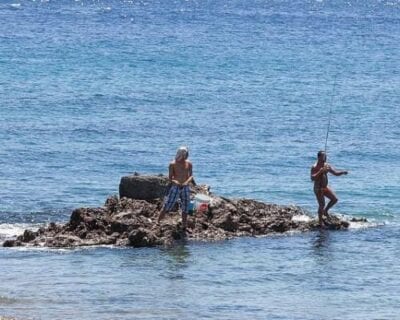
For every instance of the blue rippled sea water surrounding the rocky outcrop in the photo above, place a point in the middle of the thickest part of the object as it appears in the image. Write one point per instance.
(94, 90)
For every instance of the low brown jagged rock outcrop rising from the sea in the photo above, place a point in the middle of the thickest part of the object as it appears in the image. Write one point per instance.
(127, 221)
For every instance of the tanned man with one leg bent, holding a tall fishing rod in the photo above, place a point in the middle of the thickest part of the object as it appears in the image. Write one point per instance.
(319, 174)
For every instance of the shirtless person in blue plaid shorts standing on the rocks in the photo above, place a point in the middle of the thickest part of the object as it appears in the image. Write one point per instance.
(180, 175)
